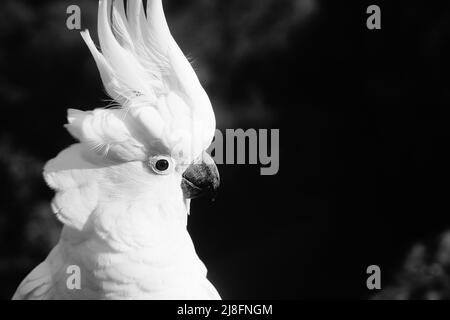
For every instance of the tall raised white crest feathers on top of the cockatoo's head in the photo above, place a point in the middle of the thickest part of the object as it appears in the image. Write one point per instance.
(143, 70)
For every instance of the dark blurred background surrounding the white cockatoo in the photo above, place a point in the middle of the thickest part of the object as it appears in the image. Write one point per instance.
(363, 121)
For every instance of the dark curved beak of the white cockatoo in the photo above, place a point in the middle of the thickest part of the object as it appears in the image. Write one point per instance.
(201, 178)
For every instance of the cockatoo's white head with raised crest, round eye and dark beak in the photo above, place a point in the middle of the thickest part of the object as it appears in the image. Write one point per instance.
(150, 143)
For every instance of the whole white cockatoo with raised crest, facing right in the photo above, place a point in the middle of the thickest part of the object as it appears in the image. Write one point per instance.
(123, 191)
